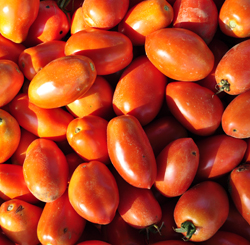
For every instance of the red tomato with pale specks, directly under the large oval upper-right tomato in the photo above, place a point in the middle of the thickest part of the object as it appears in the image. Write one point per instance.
(197, 108)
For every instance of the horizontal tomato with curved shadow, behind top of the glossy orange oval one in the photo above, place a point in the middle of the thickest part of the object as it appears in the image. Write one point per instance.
(110, 51)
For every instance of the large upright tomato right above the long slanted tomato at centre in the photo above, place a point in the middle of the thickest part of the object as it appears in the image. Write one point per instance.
(141, 75)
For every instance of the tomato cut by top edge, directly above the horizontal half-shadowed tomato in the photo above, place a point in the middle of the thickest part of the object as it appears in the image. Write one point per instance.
(104, 14)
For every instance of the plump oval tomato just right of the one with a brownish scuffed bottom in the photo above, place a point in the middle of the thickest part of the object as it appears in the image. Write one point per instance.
(93, 192)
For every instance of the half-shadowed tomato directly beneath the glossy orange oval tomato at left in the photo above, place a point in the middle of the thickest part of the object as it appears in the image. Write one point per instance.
(45, 123)
